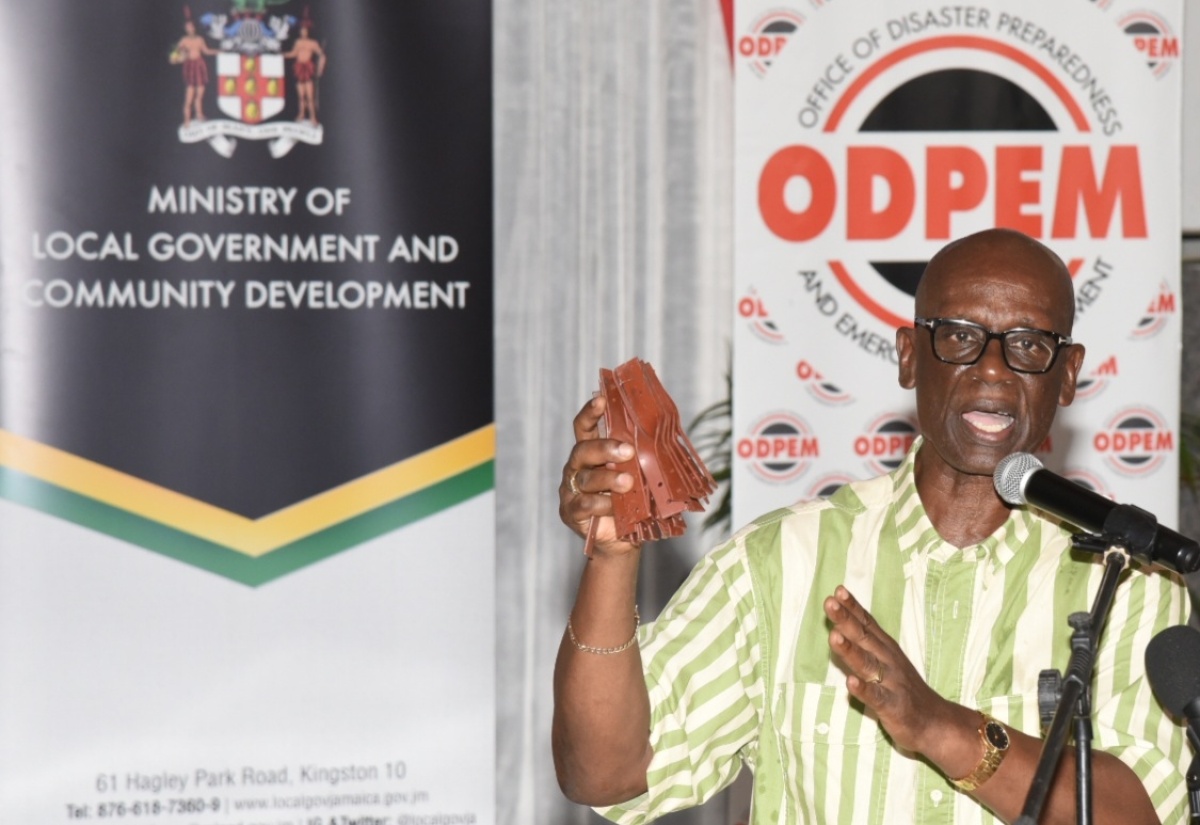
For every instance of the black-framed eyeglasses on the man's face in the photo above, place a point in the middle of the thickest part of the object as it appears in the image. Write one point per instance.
(962, 342)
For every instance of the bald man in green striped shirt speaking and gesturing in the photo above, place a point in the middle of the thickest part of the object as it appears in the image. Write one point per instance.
(874, 658)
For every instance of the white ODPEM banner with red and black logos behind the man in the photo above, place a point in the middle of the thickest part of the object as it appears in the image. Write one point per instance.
(871, 134)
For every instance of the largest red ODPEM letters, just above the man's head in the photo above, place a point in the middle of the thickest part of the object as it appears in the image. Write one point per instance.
(1093, 197)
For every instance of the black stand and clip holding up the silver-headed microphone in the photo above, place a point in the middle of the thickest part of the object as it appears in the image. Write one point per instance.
(1130, 531)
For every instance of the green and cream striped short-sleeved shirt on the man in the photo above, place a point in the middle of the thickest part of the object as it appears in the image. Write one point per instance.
(740, 671)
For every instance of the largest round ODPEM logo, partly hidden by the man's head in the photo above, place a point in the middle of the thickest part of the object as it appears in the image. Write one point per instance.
(885, 203)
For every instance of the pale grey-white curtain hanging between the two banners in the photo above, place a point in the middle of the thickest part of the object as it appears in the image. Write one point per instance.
(614, 240)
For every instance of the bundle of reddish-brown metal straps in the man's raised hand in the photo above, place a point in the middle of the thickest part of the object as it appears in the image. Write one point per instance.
(669, 475)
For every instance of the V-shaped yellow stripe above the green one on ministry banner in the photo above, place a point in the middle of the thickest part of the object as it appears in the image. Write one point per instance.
(255, 538)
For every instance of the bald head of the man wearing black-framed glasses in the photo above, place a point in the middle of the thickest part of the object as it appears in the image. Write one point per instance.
(975, 414)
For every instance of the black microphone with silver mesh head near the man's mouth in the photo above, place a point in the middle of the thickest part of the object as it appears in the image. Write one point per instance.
(1021, 479)
